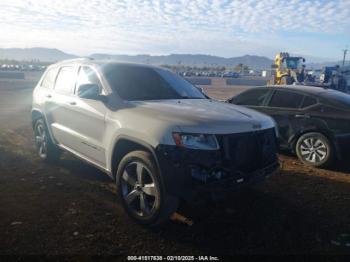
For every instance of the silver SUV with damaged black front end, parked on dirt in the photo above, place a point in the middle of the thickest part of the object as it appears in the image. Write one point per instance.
(157, 135)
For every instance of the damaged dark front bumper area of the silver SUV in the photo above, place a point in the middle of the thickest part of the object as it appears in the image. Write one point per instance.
(187, 173)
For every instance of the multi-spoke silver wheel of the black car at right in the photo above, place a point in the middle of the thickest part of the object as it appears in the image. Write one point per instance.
(315, 149)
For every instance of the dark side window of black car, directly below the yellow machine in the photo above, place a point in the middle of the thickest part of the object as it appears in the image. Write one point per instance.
(286, 99)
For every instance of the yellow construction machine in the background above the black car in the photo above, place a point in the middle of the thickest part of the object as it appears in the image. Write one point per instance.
(287, 70)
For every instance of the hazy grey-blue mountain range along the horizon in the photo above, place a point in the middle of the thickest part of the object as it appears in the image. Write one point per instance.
(53, 55)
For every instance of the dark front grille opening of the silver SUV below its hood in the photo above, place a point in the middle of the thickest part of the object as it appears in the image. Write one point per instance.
(248, 152)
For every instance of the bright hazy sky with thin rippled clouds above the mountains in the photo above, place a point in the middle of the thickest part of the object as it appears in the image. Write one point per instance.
(319, 28)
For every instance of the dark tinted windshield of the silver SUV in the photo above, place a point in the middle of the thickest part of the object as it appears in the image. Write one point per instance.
(135, 83)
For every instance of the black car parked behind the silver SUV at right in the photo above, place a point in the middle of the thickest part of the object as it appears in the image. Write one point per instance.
(313, 122)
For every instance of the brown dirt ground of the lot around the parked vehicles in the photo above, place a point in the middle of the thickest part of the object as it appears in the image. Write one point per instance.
(70, 207)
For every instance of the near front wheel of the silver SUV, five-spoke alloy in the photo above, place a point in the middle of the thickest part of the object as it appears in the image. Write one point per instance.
(140, 189)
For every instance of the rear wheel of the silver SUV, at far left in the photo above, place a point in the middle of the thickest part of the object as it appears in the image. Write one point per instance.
(46, 149)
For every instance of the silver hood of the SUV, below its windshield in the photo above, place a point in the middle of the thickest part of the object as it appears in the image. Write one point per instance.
(204, 115)
